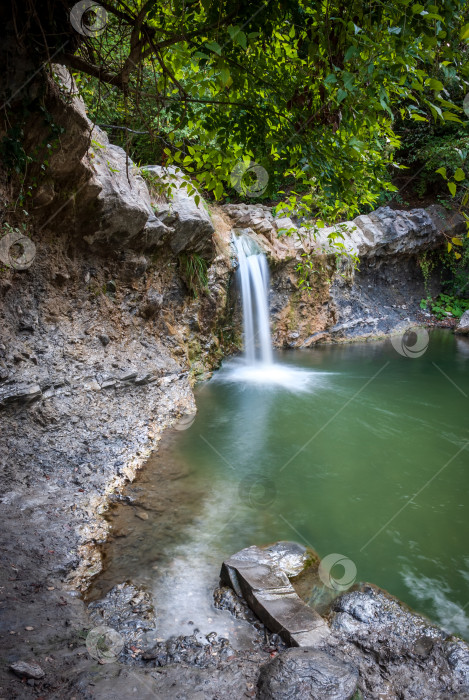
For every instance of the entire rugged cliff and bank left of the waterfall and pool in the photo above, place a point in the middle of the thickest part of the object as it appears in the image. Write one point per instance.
(101, 342)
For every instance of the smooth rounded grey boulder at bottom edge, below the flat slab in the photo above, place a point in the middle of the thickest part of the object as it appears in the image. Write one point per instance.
(303, 674)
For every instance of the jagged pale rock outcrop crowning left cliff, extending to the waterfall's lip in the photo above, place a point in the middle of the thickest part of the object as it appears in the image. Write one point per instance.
(108, 203)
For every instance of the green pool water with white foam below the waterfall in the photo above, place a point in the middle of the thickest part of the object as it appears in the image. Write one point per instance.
(359, 451)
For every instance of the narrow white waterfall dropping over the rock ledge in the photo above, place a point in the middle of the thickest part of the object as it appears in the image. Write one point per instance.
(254, 276)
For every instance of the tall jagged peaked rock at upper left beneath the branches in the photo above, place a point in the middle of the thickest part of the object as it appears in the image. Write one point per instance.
(110, 204)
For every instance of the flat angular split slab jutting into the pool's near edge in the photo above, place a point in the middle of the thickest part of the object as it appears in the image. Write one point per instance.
(260, 577)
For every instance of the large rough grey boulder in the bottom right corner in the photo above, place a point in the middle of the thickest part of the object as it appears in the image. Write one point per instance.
(397, 651)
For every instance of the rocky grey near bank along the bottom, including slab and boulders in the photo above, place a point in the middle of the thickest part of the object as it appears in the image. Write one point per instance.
(364, 645)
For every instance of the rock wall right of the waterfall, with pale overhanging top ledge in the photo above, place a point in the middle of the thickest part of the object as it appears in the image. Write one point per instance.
(382, 295)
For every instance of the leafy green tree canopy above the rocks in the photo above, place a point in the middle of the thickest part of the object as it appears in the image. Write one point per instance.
(314, 93)
